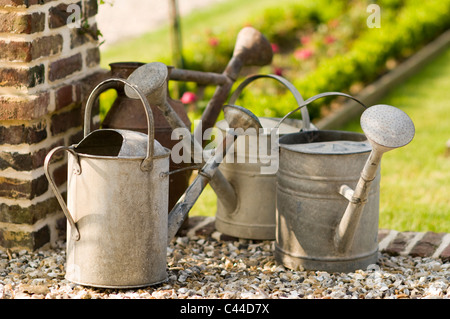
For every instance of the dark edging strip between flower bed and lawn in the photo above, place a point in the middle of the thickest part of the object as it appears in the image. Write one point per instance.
(374, 92)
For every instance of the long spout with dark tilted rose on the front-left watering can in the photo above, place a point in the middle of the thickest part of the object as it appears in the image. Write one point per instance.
(237, 118)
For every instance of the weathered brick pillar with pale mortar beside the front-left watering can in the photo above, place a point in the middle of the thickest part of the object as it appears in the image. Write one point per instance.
(48, 66)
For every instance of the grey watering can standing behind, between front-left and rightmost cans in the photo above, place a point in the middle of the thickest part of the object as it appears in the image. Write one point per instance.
(251, 172)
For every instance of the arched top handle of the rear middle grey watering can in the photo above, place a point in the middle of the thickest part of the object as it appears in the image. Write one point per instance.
(290, 87)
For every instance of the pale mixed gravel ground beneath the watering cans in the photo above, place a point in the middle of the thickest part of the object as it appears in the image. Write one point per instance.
(204, 268)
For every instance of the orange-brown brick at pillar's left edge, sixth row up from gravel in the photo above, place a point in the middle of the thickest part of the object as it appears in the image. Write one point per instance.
(26, 108)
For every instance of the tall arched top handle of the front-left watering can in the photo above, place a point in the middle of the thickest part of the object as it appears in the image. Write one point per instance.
(147, 163)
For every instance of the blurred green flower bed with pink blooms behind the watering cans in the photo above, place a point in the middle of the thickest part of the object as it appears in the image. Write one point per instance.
(324, 46)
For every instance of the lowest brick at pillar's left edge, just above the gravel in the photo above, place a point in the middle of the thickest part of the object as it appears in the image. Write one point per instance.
(25, 240)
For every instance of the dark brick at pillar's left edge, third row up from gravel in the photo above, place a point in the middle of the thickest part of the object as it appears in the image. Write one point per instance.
(22, 189)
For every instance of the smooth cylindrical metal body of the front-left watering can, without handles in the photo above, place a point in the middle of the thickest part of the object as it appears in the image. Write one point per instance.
(123, 234)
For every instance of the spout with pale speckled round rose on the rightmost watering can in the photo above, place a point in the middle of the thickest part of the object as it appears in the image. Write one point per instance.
(386, 128)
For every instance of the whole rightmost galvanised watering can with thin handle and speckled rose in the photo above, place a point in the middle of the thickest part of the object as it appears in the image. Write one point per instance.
(328, 191)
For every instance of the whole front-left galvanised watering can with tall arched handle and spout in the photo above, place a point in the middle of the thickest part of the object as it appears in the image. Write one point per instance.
(117, 200)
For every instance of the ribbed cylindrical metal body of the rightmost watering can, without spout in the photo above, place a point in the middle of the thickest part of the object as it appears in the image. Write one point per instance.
(313, 167)
